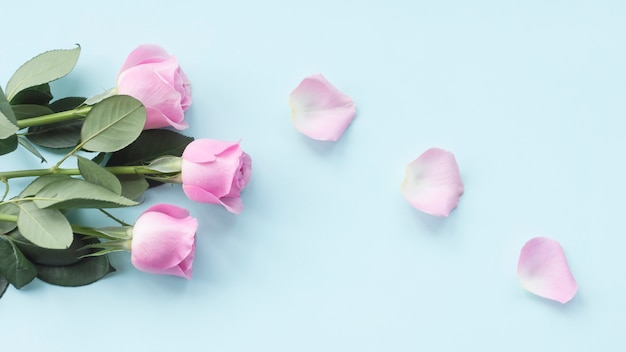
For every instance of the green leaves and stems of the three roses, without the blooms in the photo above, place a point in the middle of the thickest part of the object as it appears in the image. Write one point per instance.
(104, 134)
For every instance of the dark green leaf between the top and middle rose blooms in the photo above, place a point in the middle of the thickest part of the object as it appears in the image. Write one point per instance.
(150, 145)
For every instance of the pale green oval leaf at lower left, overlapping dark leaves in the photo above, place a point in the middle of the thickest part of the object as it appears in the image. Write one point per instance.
(47, 228)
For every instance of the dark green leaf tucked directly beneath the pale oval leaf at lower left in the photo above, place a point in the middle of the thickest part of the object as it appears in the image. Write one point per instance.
(55, 257)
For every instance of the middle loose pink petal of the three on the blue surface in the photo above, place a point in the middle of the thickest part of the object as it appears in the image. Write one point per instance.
(433, 182)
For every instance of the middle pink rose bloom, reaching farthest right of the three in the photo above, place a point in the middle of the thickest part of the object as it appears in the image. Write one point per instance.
(215, 172)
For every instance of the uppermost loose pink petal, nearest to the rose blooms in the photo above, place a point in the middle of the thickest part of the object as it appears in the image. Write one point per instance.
(319, 110)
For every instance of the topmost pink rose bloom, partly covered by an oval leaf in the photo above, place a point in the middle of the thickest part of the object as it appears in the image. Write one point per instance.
(153, 77)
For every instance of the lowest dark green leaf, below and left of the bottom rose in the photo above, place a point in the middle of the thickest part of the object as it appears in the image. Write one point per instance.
(86, 271)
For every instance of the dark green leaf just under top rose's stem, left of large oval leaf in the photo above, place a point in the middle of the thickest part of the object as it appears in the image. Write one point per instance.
(57, 135)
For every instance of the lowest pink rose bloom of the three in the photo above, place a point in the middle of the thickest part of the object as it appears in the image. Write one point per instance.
(164, 241)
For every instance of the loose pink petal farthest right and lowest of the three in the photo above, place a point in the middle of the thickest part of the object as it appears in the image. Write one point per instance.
(543, 270)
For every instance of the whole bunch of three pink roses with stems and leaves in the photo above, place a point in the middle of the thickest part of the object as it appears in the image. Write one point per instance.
(120, 143)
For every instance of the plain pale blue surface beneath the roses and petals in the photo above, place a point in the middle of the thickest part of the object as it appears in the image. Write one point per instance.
(327, 255)
